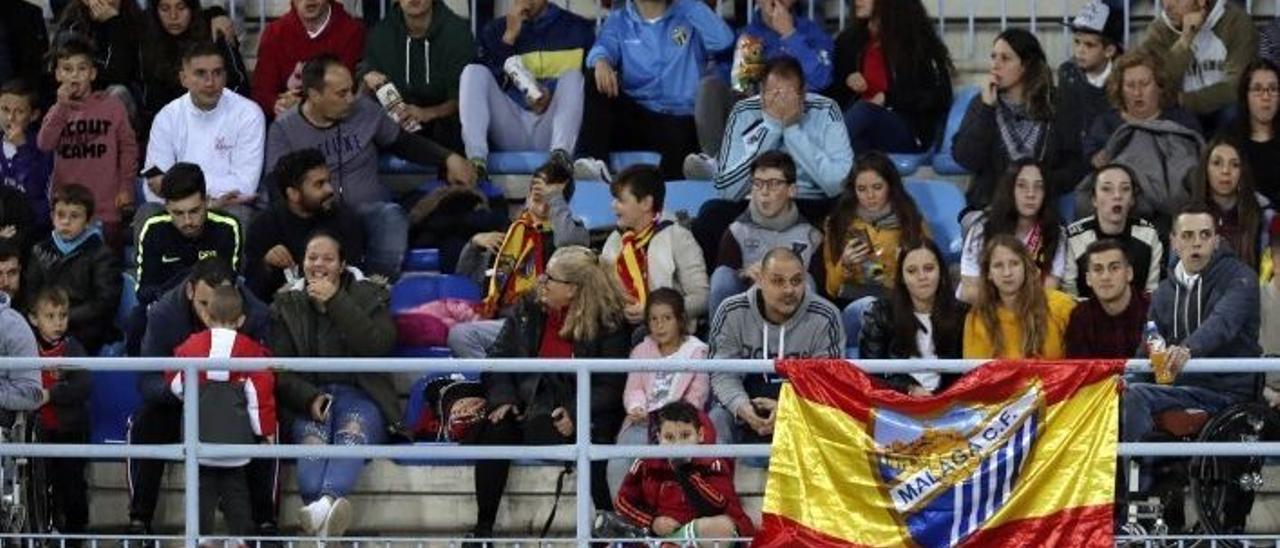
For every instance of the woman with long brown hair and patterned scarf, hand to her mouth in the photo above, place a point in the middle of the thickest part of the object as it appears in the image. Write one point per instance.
(1013, 121)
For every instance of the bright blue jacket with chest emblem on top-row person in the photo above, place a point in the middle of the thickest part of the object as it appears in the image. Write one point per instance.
(661, 62)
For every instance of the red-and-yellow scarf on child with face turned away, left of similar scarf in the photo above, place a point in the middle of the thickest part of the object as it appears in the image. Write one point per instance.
(518, 266)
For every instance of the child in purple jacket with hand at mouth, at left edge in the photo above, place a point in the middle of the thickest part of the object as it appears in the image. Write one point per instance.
(24, 167)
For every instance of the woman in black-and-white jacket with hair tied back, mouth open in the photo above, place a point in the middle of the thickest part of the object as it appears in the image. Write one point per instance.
(1114, 197)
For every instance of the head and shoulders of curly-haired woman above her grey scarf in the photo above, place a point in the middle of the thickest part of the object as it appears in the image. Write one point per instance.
(1140, 94)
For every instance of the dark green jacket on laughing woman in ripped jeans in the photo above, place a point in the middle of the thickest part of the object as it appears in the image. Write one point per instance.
(356, 323)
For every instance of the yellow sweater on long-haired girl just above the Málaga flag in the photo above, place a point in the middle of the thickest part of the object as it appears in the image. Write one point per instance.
(977, 341)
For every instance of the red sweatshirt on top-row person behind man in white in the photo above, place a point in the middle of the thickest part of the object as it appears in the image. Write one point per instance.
(286, 44)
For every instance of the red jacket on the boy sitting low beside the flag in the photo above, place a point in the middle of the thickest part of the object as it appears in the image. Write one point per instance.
(651, 490)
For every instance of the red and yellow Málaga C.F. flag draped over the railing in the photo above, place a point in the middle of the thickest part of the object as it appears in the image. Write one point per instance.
(1013, 454)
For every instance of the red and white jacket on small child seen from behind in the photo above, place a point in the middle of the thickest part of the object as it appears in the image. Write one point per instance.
(259, 386)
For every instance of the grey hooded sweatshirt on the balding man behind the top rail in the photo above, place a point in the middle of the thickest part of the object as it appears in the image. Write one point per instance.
(740, 331)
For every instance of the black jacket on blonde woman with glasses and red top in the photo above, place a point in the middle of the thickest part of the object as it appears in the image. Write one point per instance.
(542, 392)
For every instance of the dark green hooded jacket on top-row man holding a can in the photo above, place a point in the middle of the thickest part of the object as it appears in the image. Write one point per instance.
(431, 74)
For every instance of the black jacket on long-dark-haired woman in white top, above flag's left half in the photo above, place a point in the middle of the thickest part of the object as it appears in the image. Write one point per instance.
(876, 342)
